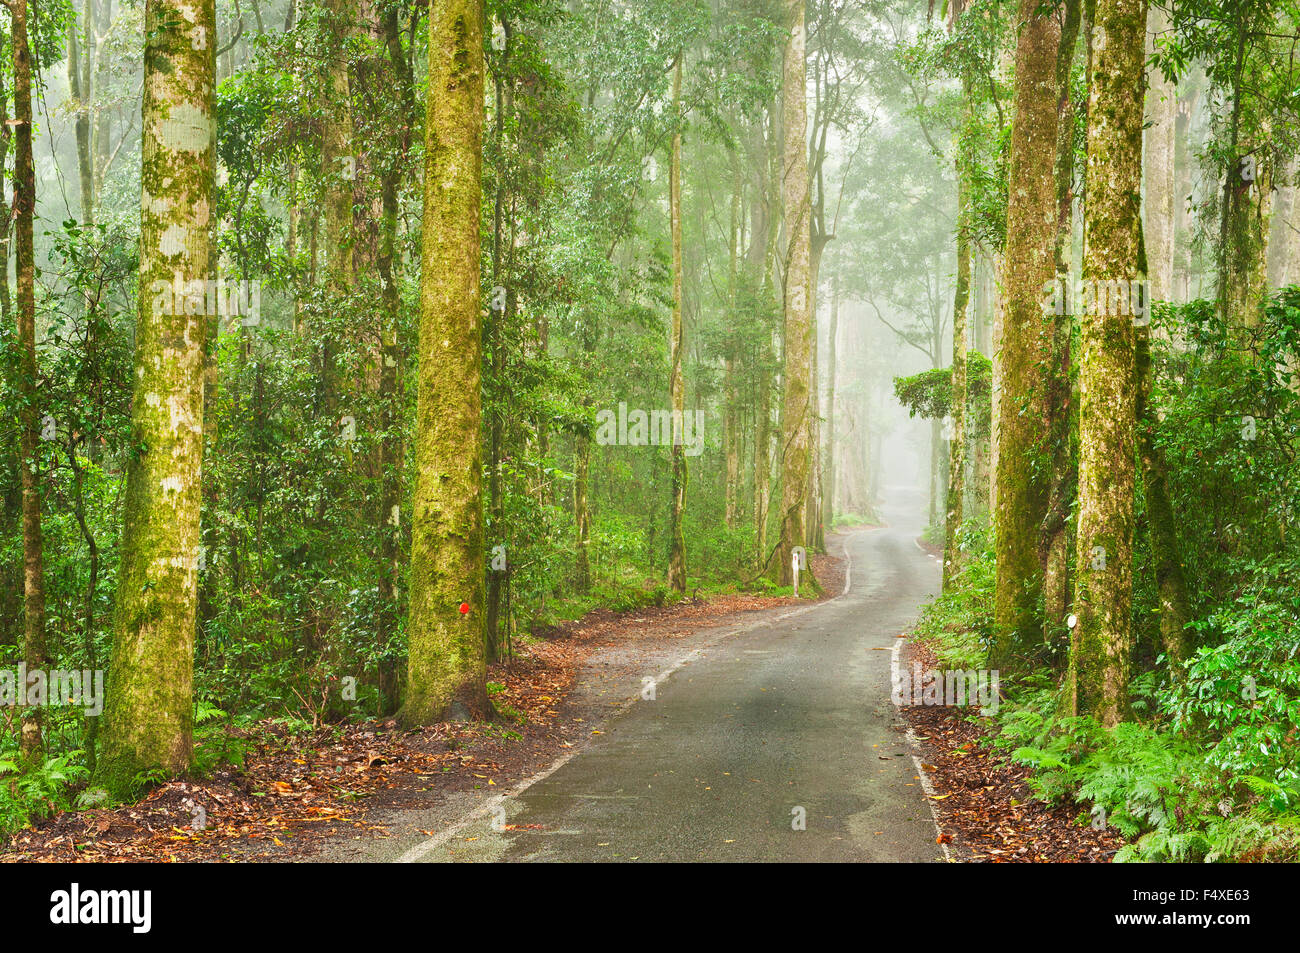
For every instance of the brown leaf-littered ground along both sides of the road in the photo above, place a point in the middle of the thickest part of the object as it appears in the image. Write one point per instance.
(327, 795)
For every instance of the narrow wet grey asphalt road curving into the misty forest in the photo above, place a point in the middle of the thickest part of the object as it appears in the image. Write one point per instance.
(788, 722)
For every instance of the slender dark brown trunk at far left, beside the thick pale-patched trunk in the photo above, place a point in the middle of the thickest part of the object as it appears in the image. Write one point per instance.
(29, 417)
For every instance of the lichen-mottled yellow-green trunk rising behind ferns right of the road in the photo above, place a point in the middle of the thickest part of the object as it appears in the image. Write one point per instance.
(1108, 387)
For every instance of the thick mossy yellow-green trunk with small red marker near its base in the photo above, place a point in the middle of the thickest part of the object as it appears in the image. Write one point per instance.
(448, 668)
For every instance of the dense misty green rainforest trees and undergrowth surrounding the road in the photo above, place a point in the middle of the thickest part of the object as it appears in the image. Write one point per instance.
(350, 345)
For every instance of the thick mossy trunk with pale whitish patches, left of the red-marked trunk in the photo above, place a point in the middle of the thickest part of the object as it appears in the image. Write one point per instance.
(150, 709)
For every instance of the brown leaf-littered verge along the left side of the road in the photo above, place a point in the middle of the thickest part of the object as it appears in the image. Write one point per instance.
(297, 791)
